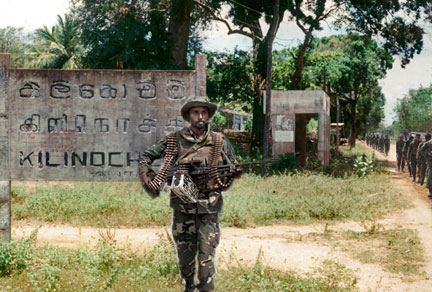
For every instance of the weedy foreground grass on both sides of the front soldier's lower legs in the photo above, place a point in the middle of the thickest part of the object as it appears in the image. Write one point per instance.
(107, 268)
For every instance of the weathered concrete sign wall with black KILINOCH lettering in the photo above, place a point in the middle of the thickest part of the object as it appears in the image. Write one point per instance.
(92, 124)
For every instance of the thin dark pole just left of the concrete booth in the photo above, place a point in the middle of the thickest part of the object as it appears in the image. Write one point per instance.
(267, 125)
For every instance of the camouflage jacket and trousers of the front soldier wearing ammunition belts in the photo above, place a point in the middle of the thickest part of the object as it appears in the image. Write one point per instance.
(195, 226)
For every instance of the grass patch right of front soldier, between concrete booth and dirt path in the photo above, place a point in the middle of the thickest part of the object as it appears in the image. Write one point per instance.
(308, 197)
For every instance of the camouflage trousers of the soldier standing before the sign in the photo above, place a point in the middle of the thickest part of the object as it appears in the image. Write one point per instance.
(197, 236)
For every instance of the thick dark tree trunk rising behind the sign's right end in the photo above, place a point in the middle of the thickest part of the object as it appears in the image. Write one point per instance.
(179, 27)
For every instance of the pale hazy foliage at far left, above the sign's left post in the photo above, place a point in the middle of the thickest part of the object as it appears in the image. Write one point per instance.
(14, 42)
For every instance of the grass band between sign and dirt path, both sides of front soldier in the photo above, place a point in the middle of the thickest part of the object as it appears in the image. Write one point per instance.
(252, 200)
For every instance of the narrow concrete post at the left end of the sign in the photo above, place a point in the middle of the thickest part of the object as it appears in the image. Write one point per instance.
(5, 199)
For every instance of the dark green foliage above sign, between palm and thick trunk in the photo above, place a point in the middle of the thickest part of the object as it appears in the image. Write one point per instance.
(123, 34)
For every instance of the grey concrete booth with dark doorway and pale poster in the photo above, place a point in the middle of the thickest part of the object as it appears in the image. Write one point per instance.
(285, 105)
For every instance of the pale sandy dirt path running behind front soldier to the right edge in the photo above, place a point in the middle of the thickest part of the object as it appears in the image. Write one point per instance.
(281, 246)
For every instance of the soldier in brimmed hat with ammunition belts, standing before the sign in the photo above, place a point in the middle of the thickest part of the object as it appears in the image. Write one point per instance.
(195, 226)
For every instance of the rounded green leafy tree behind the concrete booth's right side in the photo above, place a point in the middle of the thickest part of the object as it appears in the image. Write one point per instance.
(354, 64)
